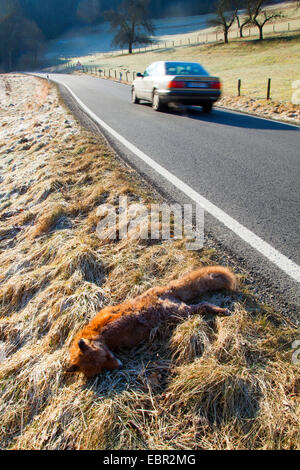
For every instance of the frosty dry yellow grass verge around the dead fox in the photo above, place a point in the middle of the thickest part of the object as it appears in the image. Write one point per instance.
(223, 384)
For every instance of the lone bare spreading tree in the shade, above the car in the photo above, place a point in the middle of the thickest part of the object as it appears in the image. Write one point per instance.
(132, 24)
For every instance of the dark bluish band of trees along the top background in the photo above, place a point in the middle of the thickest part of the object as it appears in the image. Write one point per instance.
(26, 24)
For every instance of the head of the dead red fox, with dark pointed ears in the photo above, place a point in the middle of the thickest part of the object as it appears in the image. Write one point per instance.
(91, 357)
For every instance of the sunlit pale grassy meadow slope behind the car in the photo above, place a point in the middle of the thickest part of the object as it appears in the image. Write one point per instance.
(253, 62)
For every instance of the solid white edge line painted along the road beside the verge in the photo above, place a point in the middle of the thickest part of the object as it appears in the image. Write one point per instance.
(281, 261)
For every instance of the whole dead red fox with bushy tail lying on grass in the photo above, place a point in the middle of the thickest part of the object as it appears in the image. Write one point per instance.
(128, 324)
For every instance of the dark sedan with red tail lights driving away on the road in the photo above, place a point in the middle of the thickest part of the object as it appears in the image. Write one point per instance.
(187, 83)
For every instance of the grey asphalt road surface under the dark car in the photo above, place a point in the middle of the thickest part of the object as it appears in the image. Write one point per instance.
(246, 166)
